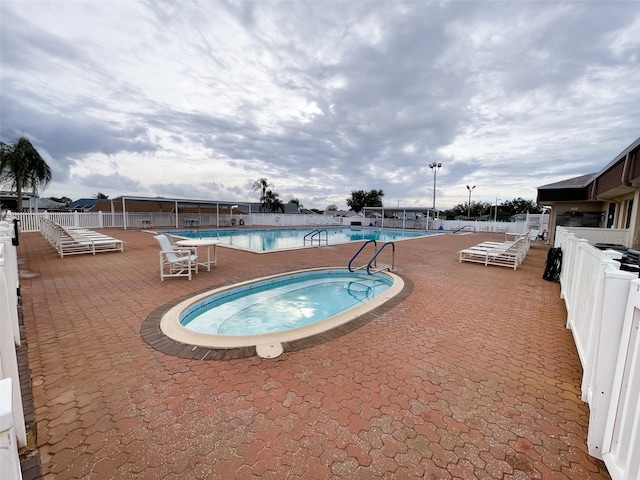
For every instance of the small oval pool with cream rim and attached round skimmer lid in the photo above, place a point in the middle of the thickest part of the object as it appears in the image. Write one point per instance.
(281, 308)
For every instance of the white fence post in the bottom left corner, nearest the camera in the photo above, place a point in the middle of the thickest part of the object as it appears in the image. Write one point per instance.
(9, 457)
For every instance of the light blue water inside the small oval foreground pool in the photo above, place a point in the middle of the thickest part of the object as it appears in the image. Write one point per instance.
(284, 303)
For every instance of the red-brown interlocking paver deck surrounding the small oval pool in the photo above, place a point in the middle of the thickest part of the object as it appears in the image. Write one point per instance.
(472, 376)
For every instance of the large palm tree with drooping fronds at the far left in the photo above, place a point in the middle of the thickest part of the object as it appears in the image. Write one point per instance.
(22, 166)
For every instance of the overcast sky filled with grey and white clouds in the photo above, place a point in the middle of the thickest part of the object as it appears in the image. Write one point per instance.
(198, 99)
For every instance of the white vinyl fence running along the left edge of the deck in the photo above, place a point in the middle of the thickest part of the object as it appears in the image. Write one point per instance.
(12, 425)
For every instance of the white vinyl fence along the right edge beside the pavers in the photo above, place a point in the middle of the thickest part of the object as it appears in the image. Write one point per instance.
(603, 313)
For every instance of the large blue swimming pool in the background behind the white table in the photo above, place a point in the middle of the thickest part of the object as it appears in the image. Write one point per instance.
(266, 240)
